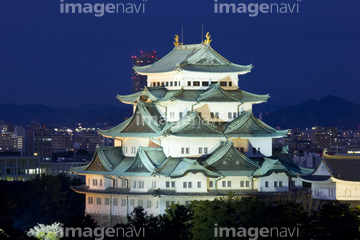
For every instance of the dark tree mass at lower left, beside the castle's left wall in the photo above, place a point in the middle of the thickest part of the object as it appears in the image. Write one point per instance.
(44, 199)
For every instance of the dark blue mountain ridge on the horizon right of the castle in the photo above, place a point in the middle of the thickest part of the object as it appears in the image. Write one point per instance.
(330, 111)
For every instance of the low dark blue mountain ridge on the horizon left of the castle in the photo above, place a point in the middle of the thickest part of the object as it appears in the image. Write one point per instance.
(89, 115)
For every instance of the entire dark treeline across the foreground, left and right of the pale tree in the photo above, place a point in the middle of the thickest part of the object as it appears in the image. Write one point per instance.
(49, 199)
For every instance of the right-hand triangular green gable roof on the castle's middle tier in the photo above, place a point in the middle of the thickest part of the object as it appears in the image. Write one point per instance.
(247, 125)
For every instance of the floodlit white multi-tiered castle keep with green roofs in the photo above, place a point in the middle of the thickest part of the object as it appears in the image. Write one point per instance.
(192, 136)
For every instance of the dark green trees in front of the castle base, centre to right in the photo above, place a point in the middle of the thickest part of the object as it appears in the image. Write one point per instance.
(248, 218)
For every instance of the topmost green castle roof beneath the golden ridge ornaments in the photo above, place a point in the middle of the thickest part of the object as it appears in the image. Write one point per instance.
(193, 58)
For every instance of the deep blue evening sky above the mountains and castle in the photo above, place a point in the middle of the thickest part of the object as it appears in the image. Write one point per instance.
(69, 59)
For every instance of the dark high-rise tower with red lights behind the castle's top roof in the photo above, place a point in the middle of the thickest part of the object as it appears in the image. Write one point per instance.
(146, 58)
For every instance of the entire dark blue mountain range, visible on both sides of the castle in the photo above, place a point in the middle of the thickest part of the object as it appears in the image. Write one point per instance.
(328, 111)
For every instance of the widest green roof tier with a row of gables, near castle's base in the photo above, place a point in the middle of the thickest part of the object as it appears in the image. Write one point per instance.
(226, 160)
